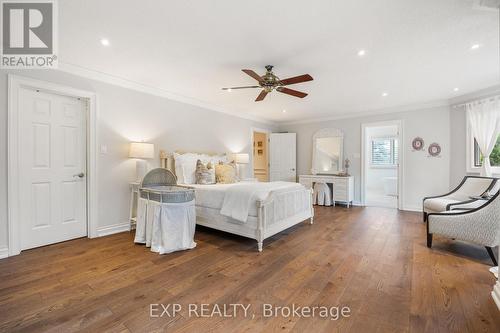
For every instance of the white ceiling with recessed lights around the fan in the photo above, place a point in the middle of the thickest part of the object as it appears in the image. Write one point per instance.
(417, 51)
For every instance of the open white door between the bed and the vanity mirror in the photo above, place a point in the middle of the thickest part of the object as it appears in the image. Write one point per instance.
(283, 157)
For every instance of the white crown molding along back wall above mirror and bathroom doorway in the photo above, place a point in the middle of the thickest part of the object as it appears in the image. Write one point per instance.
(375, 112)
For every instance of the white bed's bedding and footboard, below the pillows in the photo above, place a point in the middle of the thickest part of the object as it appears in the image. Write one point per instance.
(273, 207)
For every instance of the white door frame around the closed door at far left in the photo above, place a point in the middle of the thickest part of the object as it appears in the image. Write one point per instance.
(15, 84)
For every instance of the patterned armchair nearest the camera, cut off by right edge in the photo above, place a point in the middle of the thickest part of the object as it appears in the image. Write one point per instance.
(480, 225)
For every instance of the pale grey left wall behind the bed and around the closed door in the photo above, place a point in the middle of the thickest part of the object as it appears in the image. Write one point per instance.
(126, 115)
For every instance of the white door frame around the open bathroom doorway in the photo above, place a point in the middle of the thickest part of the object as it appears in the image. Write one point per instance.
(400, 124)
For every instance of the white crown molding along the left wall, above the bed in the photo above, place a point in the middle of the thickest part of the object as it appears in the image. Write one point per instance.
(133, 85)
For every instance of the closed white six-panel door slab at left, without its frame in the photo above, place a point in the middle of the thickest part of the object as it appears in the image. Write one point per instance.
(52, 180)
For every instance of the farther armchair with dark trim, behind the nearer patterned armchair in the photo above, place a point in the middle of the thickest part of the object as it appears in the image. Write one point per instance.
(470, 186)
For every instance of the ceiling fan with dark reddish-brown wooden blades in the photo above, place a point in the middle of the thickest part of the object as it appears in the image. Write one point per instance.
(269, 82)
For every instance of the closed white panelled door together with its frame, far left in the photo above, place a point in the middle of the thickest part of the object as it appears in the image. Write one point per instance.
(52, 162)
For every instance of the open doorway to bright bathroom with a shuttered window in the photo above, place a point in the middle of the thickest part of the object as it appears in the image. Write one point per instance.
(381, 164)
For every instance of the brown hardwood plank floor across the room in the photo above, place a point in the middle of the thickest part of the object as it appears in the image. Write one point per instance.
(372, 260)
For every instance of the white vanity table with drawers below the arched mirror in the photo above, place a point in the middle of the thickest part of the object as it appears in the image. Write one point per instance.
(343, 187)
